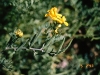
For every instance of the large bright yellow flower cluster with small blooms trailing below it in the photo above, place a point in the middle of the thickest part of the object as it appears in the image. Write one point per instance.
(54, 15)
